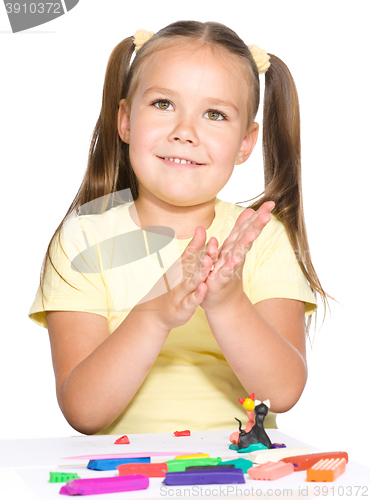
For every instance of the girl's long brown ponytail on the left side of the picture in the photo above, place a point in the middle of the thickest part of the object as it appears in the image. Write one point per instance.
(108, 169)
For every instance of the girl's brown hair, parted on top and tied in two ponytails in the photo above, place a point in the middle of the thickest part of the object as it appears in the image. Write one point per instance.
(109, 169)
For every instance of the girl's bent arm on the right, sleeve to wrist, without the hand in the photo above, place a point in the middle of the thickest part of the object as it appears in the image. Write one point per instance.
(264, 345)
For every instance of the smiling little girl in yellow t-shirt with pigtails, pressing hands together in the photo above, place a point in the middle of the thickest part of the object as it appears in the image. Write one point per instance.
(164, 304)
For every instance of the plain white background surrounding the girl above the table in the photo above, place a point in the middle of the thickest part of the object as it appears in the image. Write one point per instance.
(50, 96)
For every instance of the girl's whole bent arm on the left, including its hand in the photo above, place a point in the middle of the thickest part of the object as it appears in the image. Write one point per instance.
(97, 373)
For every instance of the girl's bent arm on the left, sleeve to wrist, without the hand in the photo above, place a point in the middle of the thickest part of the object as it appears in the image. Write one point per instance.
(97, 374)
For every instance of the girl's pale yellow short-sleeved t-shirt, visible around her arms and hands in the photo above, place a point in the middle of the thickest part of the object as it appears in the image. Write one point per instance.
(190, 384)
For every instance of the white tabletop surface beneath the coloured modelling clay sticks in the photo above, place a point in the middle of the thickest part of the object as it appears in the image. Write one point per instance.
(25, 466)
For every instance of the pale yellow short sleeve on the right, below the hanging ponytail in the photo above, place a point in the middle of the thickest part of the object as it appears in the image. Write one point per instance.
(272, 270)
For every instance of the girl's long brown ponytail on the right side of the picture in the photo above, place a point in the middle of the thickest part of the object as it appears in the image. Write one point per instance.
(282, 165)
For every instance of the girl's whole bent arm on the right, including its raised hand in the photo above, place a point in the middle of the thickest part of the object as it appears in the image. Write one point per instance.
(264, 344)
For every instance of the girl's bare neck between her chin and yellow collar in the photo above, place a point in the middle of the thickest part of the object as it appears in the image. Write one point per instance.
(183, 220)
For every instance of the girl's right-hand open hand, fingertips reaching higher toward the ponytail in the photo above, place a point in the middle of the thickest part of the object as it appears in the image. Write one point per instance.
(225, 283)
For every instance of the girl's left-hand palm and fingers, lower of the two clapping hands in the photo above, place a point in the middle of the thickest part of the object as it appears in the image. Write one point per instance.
(178, 305)
